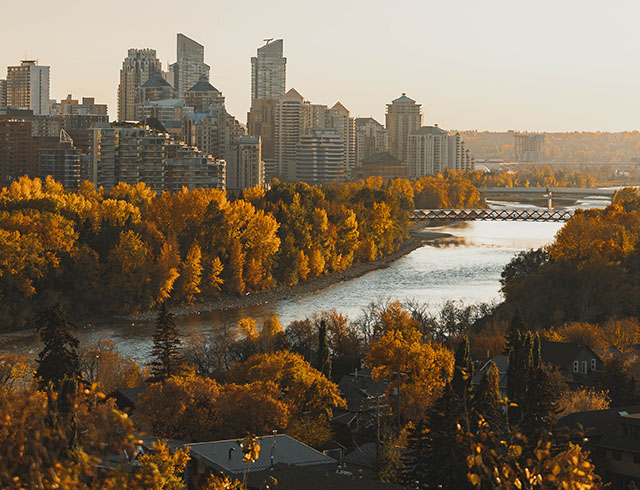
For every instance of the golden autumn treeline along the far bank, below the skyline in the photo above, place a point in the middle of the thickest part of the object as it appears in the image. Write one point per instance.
(129, 249)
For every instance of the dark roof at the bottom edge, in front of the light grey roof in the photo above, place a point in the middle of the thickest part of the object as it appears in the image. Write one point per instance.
(294, 478)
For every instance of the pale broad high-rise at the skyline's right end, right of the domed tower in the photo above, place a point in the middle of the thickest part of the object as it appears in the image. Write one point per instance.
(432, 151)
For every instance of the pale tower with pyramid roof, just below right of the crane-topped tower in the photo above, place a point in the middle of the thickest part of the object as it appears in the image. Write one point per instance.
(292, 120)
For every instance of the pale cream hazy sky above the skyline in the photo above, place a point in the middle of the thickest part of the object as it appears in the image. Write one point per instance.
(560, 65)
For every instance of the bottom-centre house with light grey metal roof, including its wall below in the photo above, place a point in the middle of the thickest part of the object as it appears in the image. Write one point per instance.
(227, 457)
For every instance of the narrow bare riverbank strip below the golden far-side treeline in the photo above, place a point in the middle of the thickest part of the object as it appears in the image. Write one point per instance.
(228, 301)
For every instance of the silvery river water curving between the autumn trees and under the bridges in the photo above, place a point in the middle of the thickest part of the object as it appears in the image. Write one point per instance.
(465, 267)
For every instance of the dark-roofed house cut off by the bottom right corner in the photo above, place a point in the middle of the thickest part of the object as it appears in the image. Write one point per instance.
(613, 437)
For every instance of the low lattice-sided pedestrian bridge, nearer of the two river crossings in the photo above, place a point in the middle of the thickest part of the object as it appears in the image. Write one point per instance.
(502, 214)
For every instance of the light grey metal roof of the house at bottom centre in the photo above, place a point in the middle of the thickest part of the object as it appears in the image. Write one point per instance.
(227, 455)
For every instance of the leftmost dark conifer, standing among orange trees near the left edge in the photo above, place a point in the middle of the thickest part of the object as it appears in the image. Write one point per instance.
(59, 359)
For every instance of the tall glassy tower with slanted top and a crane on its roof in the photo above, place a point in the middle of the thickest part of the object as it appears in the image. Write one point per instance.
(269, 72)
